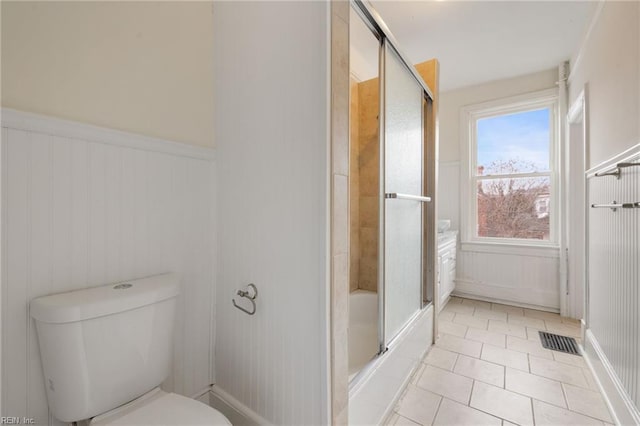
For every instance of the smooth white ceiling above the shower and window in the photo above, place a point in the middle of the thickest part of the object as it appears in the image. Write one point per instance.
(476, 41)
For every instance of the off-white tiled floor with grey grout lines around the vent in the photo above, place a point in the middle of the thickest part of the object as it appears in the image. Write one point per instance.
(489, 368)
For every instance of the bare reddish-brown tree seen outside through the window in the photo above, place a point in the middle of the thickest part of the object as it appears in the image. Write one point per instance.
(512, 207)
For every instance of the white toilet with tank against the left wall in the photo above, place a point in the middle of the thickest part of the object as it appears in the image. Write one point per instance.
(106, 350)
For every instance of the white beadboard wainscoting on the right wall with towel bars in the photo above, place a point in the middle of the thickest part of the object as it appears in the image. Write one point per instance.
(613, 309)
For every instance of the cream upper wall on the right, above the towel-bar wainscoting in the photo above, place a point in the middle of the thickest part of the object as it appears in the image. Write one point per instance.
(609, 63)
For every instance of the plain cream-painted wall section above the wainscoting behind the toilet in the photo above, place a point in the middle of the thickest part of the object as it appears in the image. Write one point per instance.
(142, 67)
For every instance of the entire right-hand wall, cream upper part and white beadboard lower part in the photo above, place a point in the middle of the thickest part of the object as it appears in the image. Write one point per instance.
(609, 65)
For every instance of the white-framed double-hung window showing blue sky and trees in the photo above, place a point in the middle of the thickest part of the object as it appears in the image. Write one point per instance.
(511, 174)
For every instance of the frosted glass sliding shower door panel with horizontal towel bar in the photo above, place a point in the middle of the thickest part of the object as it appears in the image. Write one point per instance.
(402, 190)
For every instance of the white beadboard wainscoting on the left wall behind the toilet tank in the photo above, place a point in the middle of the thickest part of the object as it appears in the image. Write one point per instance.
(84, 206)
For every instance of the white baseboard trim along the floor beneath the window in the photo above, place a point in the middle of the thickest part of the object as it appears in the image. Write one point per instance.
(470, 289)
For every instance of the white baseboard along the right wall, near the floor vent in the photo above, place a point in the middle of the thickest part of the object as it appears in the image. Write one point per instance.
(618, 400)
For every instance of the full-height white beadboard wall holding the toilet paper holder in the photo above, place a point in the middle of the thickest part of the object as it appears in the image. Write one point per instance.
(271, 85)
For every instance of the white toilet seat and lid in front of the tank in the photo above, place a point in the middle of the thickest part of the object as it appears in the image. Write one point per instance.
(160, 408)
